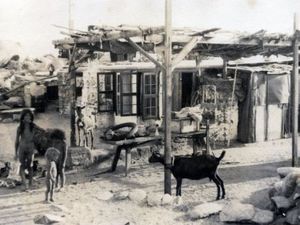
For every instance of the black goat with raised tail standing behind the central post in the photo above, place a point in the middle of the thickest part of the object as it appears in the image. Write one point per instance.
(194, 167)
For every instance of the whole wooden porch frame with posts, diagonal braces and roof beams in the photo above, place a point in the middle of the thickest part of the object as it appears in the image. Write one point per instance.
(198, 43)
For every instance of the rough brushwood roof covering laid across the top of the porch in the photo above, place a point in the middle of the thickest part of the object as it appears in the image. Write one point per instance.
(210, 42)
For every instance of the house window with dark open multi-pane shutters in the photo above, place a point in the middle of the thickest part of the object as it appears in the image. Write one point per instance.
(129, 93)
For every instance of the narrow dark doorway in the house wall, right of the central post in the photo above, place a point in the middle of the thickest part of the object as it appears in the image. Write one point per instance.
(186, 89)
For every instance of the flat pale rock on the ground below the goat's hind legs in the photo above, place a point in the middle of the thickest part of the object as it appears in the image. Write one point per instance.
(205, 210)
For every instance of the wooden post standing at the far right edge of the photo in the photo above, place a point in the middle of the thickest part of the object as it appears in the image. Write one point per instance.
(295, 96)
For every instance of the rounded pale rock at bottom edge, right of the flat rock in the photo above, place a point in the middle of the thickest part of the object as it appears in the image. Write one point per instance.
(237, 212)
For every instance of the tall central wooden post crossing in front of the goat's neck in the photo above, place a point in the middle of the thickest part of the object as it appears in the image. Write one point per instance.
(168, 93)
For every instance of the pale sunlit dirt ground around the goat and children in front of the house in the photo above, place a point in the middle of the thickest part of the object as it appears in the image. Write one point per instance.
(247, 171)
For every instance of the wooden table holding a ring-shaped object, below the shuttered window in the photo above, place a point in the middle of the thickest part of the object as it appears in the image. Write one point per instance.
(128, 145)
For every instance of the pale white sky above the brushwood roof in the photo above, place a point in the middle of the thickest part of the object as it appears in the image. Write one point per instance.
(29, 22)
